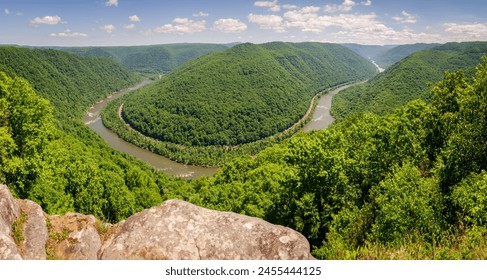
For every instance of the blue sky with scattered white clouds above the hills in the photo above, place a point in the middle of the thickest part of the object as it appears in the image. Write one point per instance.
(146, 22)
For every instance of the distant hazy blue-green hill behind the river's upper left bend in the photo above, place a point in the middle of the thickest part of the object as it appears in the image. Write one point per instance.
(153, 59)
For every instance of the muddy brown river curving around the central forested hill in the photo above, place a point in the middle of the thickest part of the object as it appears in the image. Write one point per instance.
(321, 119)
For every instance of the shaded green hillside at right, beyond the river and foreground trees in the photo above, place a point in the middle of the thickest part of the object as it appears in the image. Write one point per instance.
(409, 79)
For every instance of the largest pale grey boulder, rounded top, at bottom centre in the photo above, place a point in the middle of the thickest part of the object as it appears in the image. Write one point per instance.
(180, 230)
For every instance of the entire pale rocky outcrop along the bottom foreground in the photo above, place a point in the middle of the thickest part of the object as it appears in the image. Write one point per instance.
(173, 230)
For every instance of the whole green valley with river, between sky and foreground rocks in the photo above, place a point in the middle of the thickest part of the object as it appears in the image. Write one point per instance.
(417, 128)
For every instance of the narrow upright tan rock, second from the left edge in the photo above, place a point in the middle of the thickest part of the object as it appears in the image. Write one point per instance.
(33, 246)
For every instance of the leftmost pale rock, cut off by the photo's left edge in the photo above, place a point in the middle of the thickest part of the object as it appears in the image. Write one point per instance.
(9, 212)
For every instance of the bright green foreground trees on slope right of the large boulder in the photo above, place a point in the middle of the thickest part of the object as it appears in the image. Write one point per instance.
(408, 185)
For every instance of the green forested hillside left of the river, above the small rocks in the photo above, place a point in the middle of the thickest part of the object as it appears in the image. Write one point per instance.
(48, 155)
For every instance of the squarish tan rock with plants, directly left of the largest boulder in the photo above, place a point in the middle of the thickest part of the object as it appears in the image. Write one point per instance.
(74, 237)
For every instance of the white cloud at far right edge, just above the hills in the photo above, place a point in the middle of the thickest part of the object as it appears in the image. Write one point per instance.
(467, 32)
